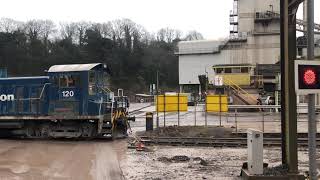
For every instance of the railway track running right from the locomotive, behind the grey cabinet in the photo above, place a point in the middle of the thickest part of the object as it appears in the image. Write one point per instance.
(215, 142)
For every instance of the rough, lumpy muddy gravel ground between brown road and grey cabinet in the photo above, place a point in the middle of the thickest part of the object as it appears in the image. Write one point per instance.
(196, 163)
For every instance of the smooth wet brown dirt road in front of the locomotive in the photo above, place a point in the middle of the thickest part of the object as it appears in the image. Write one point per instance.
(61, 160)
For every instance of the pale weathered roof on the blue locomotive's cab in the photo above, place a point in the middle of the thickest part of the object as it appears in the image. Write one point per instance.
(73, 67)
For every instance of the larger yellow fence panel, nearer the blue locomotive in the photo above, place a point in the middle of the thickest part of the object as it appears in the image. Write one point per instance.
(172, 103)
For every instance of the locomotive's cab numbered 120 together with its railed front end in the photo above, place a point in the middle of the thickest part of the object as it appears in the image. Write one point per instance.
(81, 91)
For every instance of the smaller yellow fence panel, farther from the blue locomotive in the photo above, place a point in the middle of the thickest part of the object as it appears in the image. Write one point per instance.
(217, 103)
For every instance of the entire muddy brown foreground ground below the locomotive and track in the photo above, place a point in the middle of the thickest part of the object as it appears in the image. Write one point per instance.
(107, 160)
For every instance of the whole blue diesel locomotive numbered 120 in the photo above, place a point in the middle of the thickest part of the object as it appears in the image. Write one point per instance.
(72, 101)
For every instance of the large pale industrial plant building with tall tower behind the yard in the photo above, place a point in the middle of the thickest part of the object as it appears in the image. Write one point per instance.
(254, 41)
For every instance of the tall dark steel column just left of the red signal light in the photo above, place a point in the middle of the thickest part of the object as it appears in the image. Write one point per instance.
(288, 95)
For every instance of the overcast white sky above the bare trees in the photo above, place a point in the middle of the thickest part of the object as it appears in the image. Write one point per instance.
(209, 17)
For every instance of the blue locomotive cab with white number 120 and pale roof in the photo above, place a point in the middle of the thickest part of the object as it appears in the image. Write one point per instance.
(78, 89)
